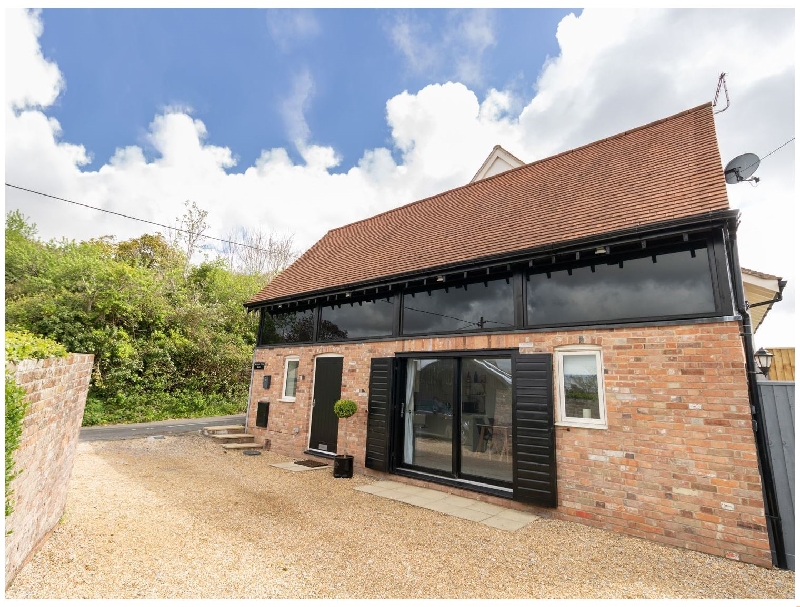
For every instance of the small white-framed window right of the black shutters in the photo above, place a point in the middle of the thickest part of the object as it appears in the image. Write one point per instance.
(580, 391)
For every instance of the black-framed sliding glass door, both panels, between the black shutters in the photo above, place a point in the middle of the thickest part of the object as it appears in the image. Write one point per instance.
(456, 418)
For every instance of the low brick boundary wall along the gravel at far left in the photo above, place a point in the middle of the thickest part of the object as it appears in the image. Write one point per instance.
(56, 394)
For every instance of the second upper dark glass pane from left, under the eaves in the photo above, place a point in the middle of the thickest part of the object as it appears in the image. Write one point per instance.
(359, 319)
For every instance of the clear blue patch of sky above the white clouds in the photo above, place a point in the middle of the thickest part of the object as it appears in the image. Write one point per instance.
(234, 68)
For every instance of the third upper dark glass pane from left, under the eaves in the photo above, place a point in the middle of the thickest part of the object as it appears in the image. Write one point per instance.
(477, 306)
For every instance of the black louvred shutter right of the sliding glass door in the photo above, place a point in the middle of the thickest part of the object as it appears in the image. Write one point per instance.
(534, 429)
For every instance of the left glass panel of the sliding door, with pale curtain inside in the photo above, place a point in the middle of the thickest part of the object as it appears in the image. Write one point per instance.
(428, 414)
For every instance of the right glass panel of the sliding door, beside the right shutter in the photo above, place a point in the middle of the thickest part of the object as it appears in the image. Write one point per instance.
(486, 449)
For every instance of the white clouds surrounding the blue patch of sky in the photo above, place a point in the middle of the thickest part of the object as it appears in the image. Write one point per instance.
(615, 71)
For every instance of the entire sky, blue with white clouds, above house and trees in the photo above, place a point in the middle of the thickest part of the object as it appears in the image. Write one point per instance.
(295, 122)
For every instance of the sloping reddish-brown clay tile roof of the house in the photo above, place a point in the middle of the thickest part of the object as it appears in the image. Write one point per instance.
(664, 170)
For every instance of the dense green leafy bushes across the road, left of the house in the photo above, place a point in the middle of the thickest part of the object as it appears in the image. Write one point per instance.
(168, 339)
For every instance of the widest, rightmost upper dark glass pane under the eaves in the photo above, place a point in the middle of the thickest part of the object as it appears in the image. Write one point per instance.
(675, 283)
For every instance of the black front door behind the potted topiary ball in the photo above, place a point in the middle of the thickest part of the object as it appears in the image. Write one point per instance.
(327, 390)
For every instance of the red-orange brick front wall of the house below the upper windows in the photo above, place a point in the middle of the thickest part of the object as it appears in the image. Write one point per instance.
(677, 463)
